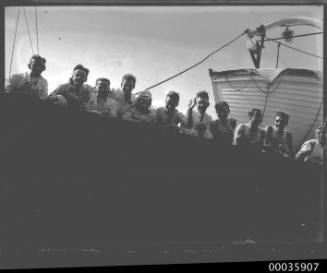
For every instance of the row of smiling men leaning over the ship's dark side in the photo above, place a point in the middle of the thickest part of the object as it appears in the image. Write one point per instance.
(122, 104)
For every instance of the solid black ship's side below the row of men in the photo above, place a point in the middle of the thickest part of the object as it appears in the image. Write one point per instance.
(74, 180)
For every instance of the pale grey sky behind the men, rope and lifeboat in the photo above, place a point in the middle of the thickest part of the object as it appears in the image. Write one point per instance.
(153, 43)
